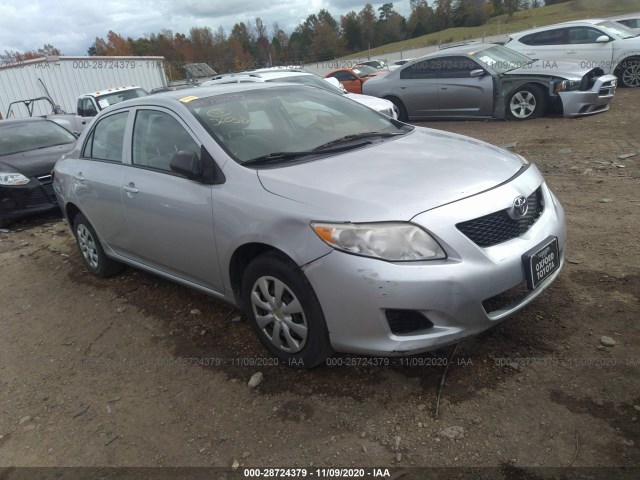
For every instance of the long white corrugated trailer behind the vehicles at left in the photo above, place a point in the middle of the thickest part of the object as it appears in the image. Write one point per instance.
(64, 79)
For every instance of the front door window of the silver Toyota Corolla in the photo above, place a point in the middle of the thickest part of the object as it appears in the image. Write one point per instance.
(156, 137)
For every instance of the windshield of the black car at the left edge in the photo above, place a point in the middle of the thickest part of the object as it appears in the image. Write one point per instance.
(26, 136)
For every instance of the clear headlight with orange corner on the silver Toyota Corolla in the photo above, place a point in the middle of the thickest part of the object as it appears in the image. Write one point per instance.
(398, 242)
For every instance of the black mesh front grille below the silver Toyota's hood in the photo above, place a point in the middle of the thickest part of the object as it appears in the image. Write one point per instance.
(499, 227)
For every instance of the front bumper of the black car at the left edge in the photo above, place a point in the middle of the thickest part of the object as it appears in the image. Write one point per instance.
(37, 196)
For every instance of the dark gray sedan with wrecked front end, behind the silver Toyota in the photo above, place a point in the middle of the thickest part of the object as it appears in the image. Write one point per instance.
(477, 80)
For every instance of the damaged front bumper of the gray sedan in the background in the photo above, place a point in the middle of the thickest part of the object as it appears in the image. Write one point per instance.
(578, 103)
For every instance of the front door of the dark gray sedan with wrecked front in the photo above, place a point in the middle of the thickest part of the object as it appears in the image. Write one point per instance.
(460, 94)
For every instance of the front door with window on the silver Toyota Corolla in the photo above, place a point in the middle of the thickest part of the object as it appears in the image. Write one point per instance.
(169, 218)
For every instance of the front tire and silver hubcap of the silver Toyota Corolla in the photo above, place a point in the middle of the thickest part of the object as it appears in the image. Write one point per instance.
(296, 335)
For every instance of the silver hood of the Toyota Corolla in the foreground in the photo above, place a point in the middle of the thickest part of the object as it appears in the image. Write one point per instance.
(394, 180)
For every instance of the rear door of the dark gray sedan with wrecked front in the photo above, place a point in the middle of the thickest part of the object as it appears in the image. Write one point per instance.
(418, 88)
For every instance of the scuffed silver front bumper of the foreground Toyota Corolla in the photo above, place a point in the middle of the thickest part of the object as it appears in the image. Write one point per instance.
(356, 292)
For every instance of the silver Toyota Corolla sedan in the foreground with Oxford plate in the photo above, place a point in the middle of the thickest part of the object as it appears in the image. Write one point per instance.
(334, 227)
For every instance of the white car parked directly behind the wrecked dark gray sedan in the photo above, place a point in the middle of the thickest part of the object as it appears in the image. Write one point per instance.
(599, 43)
